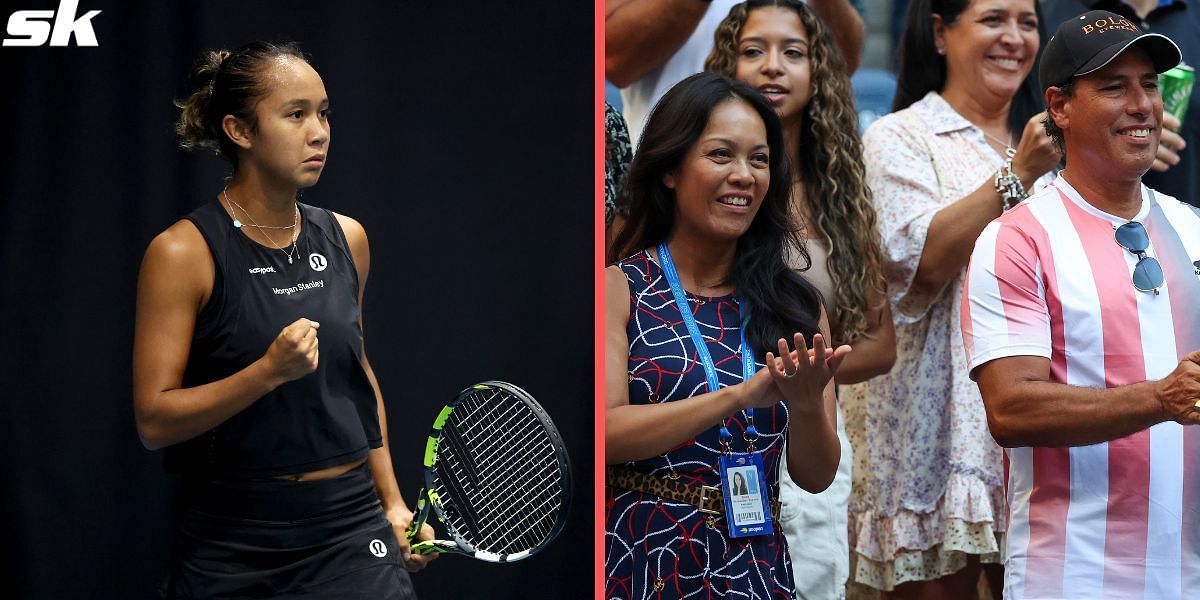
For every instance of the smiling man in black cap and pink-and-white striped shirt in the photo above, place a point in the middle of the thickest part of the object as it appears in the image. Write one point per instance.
(1082, 321)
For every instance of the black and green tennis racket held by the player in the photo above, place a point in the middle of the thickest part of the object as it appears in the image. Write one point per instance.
(496, 476)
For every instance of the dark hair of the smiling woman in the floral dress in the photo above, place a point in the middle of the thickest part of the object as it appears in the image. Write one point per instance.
(923, 70)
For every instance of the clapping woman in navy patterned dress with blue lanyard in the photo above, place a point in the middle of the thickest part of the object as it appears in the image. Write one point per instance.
(703, 303)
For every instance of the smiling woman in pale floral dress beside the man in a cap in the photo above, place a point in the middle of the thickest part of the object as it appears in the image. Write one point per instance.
(928, 505)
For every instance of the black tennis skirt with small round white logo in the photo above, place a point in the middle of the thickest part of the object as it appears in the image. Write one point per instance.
(273, 538)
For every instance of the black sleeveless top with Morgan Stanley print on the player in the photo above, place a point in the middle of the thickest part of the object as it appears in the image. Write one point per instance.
(320, 421)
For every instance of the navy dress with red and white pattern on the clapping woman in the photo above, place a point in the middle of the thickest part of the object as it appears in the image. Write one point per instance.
(658, 549)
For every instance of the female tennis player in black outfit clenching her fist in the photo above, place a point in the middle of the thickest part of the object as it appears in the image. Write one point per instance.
(249, 364)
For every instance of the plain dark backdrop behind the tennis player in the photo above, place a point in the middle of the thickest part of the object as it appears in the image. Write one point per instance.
(463, 140)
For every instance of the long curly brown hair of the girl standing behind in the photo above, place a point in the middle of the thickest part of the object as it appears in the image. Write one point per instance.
(830, 167)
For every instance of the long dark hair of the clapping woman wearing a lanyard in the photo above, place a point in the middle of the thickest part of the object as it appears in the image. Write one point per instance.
(777, 301)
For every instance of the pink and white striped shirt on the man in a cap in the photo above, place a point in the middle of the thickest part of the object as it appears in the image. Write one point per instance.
(1121, 519)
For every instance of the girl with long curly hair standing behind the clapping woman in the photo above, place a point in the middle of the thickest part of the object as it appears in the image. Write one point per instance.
(783, 50)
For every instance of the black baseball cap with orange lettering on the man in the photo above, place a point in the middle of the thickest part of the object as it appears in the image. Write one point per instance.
(1089, 43)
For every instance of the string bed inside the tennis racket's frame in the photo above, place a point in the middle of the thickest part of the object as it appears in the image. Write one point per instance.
(502, 487)
